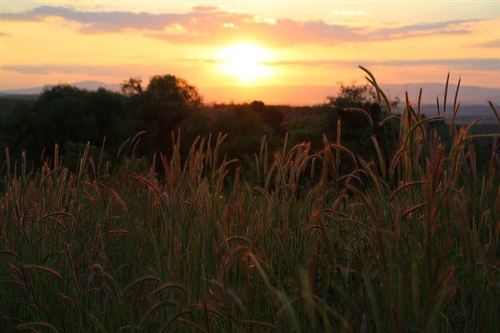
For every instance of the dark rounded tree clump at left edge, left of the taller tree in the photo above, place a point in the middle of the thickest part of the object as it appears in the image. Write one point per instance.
(64, 113)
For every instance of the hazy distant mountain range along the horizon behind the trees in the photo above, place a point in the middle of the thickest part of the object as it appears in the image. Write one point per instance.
(310, 95)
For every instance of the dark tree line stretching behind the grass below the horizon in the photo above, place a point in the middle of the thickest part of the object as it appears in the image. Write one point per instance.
(71, 117)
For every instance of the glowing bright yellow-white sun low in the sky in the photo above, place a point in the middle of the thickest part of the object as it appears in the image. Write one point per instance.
(245, 62)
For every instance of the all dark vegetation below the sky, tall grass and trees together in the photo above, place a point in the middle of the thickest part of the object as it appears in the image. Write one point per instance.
(358, 220)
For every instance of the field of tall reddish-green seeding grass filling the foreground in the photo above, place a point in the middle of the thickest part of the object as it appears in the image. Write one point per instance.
(406, 243)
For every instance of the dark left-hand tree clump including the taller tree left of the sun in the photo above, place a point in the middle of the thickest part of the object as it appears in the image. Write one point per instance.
(64, 113)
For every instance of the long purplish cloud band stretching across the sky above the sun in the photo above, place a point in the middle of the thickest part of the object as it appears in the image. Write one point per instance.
(210, 24)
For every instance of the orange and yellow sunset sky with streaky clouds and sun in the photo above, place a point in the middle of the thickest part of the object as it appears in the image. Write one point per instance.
(223, 47)
